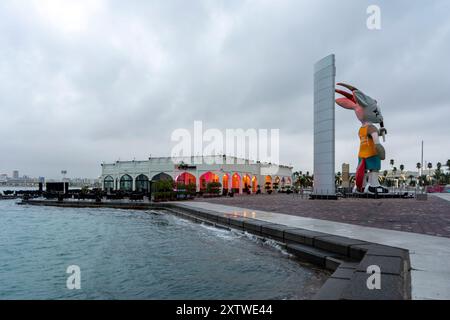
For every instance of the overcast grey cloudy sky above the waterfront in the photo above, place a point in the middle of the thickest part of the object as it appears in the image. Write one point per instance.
(83, 82)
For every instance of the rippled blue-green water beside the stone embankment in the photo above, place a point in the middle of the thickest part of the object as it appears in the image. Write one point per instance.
(139, 255)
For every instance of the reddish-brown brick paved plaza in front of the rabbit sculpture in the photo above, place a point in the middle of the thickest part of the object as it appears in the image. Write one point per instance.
(430, 217)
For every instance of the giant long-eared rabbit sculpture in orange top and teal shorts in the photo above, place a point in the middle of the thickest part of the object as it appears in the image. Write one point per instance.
(371, 152)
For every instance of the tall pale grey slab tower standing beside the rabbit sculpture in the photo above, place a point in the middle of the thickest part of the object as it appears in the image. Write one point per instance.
(324, 119)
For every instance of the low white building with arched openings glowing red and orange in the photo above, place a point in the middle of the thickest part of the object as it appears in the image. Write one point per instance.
(233, 173)
